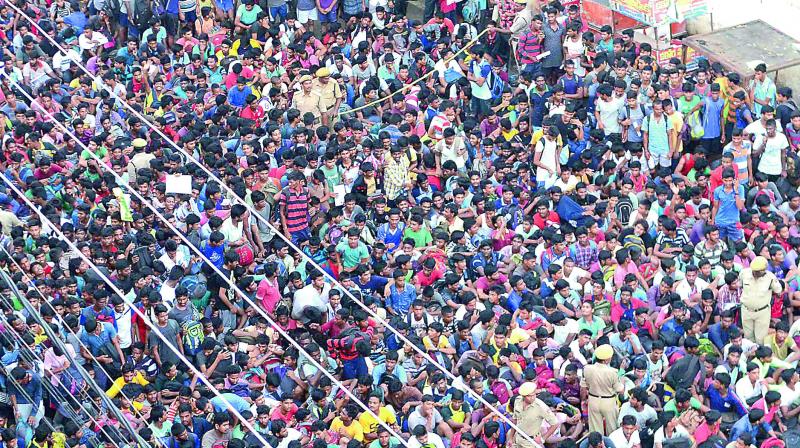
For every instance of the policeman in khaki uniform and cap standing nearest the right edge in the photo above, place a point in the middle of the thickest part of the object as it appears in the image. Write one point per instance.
(758, 286)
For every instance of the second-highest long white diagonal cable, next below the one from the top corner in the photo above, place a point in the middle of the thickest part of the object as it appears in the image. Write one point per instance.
(233, 285)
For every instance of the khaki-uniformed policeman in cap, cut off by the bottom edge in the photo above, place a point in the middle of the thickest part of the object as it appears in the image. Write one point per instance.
(528, 414)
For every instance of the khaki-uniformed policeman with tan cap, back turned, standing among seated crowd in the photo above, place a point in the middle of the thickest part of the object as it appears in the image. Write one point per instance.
(600, 385)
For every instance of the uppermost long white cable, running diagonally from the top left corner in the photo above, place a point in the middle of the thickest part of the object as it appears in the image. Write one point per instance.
(308, 259)
